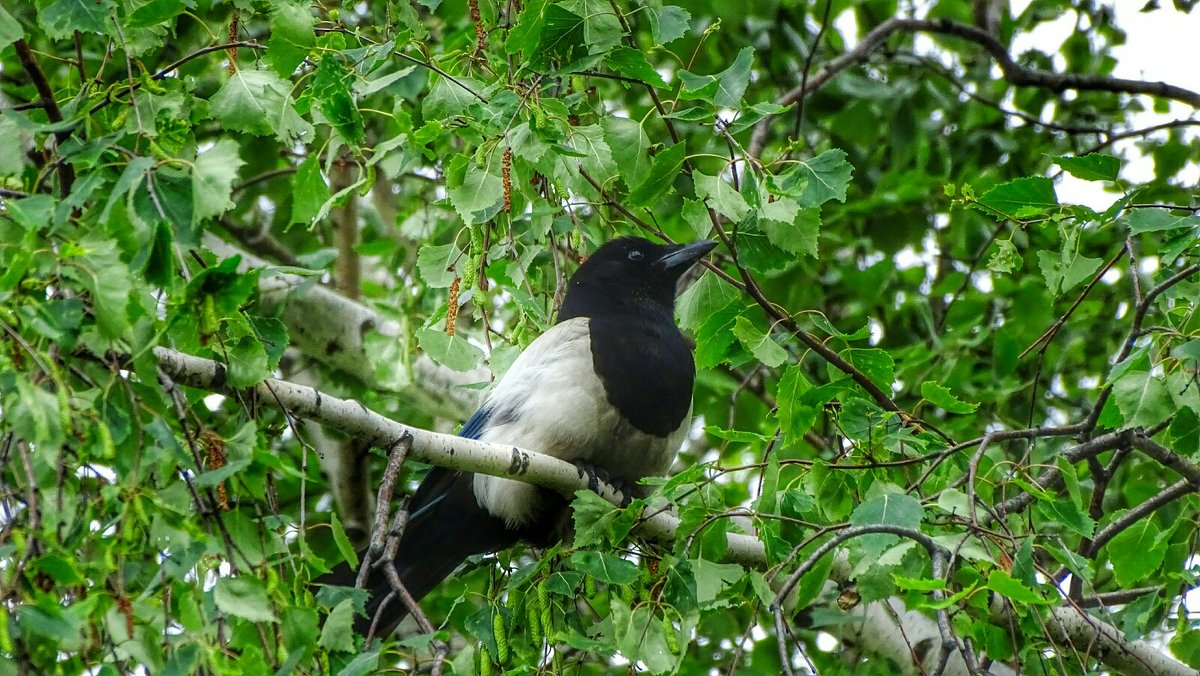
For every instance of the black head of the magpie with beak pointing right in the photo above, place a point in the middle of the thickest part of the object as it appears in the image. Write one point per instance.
(631, 276)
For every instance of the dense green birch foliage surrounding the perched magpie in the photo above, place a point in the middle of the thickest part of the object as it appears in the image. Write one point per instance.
(905, 328)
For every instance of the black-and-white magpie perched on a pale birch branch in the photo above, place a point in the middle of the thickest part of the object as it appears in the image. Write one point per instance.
(608, 387)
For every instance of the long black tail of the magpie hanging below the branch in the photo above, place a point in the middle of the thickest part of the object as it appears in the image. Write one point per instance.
(446, 527)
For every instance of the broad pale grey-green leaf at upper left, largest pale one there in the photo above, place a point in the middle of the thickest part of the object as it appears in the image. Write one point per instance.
(259, 103)
